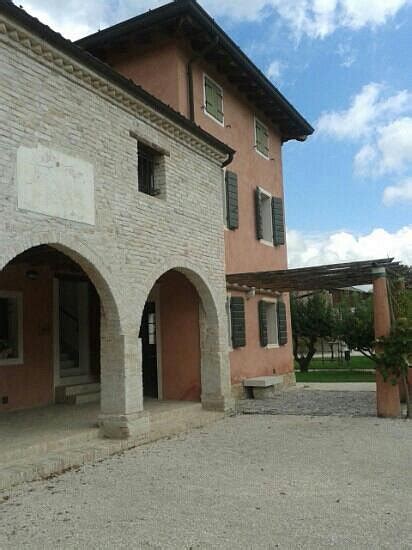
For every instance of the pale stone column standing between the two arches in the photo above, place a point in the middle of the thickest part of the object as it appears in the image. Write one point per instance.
(122, 415)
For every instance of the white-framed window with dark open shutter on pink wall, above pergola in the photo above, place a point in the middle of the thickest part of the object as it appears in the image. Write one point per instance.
(270, 223)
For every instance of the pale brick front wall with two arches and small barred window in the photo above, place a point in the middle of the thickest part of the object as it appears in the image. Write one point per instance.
(135, 238)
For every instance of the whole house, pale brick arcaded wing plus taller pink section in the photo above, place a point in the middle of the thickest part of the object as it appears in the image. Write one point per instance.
(113, 250)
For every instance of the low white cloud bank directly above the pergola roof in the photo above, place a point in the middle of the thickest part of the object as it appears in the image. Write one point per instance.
(342, 246)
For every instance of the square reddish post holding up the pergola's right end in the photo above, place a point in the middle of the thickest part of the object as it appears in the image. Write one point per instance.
(387, 395)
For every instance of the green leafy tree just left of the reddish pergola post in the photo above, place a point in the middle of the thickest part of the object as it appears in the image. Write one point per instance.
(356, 327)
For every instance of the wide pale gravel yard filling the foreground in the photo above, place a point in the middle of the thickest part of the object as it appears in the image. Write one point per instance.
(246, 482)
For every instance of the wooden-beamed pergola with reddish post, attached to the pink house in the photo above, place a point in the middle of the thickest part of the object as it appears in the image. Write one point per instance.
(327, 277)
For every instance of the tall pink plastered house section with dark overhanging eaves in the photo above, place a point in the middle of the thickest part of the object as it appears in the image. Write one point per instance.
(179, 54)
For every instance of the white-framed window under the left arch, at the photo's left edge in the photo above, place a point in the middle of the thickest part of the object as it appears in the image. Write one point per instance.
(11, 339)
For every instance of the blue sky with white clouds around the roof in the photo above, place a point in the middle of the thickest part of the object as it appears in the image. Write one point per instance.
(346, 66)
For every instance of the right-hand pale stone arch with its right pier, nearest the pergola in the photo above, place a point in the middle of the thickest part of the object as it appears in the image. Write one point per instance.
(215, 377)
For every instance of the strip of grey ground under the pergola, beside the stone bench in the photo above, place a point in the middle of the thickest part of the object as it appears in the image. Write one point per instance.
(314, 403)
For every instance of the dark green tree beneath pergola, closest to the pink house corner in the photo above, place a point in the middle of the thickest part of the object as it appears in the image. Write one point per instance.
(312, 318)
